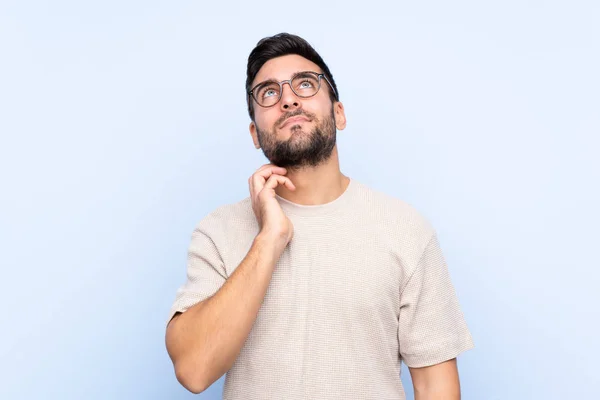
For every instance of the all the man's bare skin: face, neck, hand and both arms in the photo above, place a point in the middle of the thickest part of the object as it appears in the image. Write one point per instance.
(204, 342)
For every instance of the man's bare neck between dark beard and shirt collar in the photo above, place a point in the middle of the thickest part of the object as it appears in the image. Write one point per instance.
(316, 185)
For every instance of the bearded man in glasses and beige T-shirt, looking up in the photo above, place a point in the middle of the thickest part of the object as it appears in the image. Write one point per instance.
(315, 286)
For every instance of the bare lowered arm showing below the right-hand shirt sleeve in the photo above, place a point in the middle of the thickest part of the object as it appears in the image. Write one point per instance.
(436, 382)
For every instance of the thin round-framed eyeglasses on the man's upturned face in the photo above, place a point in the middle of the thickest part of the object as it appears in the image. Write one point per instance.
(303, 84)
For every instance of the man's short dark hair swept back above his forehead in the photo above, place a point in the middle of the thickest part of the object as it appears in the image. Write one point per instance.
(280, 45)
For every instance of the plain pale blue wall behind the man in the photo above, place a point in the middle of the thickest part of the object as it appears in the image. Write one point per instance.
(124, 123)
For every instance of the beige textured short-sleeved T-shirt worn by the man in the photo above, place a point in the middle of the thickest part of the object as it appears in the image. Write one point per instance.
(361, 287)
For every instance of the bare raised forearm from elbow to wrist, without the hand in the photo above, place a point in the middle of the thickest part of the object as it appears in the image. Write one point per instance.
(205, 340)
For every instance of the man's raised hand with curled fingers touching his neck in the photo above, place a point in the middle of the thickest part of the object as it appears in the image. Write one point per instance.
(269, 214)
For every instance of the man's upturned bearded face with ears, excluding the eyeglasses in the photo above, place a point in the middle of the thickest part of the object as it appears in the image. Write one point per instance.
(296, 132)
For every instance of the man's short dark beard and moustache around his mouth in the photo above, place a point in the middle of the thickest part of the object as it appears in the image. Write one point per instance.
(302, 149)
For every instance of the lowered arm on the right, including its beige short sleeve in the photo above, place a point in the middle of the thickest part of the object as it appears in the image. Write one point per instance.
(432, 330)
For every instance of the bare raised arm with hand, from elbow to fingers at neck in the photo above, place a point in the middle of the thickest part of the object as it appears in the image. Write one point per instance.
(204, 342)
